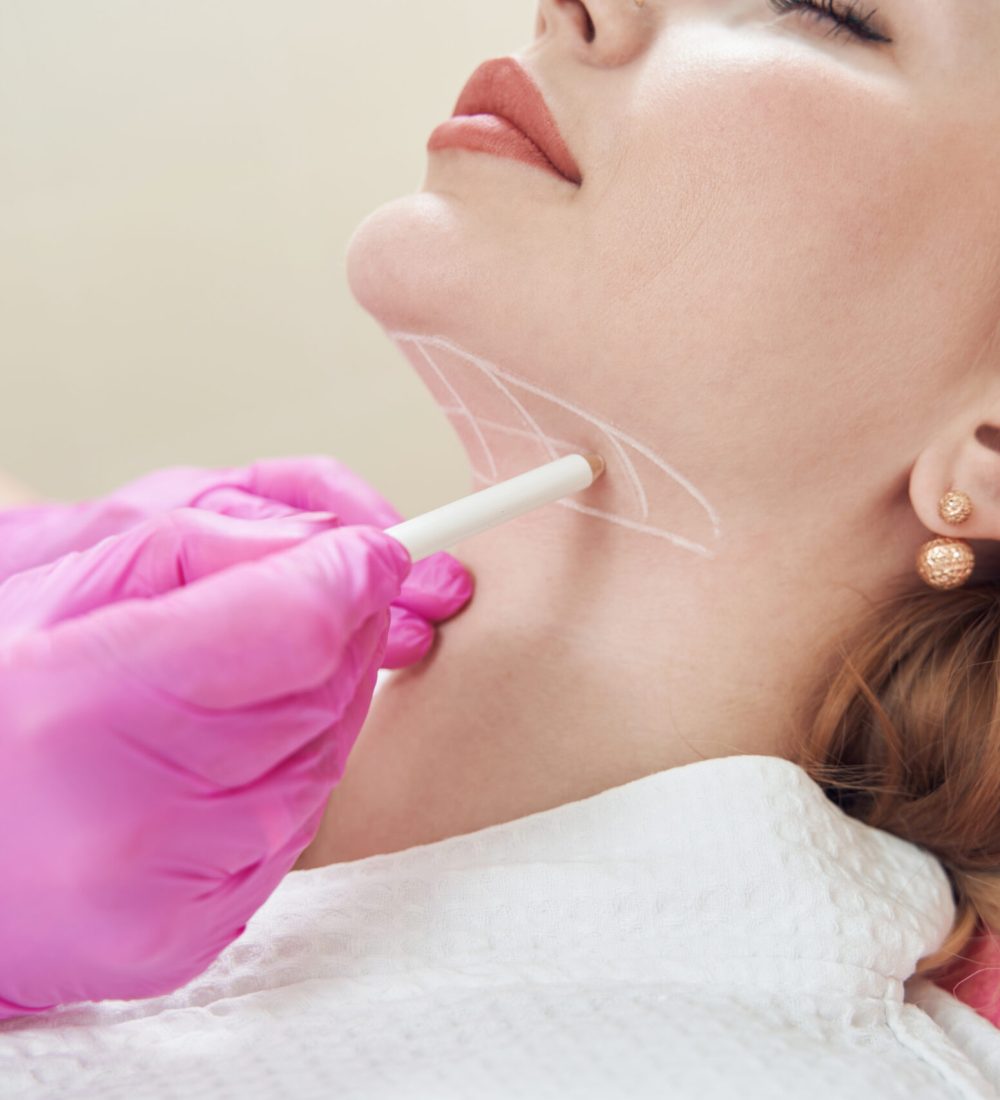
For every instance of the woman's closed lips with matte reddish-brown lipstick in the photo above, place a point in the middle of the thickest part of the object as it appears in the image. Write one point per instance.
(503, 112)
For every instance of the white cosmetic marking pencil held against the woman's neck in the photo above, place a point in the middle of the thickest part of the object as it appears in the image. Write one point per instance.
(490, 508)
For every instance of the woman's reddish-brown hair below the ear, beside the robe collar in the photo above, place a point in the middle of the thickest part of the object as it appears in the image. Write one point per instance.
(907, 739)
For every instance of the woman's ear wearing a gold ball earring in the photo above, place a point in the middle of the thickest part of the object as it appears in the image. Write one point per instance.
(969, 460)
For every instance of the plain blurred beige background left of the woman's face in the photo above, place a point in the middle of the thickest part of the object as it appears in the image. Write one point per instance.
(175, 202)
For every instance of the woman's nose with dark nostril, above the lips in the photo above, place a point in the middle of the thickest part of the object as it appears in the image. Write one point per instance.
(607, 32)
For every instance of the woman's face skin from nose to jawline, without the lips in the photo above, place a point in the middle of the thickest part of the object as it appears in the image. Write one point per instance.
(783, 263)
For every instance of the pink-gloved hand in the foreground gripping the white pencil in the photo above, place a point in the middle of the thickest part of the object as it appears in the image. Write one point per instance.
(177, 705)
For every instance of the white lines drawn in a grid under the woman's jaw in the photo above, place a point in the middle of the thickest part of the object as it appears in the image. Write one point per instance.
(616, 436)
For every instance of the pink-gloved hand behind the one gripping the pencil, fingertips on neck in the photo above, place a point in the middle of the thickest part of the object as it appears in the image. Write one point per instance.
(42, 533)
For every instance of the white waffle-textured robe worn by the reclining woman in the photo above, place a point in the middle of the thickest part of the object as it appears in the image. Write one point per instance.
(720, 930)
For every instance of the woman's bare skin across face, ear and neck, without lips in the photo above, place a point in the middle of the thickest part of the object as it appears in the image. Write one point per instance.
(783, 273)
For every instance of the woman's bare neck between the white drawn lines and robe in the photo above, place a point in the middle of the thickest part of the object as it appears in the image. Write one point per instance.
(589, 656)
